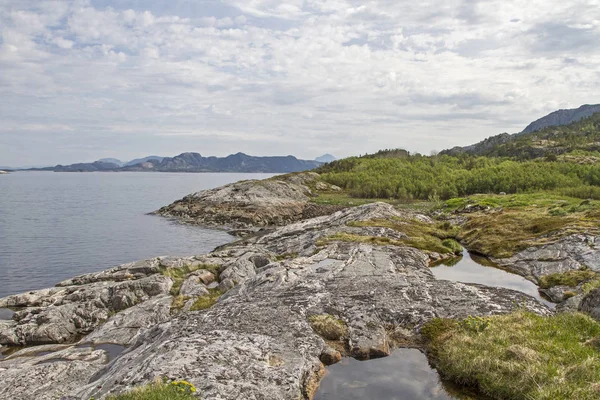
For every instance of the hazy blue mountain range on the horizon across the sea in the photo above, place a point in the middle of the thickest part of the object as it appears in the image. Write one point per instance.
(194, 162)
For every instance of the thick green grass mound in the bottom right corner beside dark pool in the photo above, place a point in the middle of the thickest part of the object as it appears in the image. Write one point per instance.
(521, 356)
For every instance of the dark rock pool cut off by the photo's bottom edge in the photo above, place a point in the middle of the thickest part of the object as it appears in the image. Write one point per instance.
(404, 375)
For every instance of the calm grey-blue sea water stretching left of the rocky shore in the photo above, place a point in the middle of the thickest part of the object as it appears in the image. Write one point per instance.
(57, 225)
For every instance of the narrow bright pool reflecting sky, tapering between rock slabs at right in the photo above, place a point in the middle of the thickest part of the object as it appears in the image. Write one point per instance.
(473, 269)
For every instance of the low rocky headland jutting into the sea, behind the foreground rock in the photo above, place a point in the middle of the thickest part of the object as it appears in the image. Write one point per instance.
(251, 204)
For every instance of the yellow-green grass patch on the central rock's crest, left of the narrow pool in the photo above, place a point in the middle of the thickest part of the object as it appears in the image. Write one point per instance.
(421, 235)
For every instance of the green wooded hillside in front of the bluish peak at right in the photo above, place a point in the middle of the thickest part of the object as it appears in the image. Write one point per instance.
(578, 140)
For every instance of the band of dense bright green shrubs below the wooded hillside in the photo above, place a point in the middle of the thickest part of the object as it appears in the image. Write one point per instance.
(445, 177)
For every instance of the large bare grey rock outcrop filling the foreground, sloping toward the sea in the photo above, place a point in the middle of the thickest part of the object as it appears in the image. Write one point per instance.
(257, 341)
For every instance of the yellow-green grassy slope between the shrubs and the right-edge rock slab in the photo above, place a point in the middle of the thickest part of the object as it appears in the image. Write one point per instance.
(523, 220)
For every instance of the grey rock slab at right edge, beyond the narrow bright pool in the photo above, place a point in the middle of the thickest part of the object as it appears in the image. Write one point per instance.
(571, 252)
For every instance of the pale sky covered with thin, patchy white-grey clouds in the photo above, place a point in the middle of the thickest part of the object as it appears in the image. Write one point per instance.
(86, 79)
